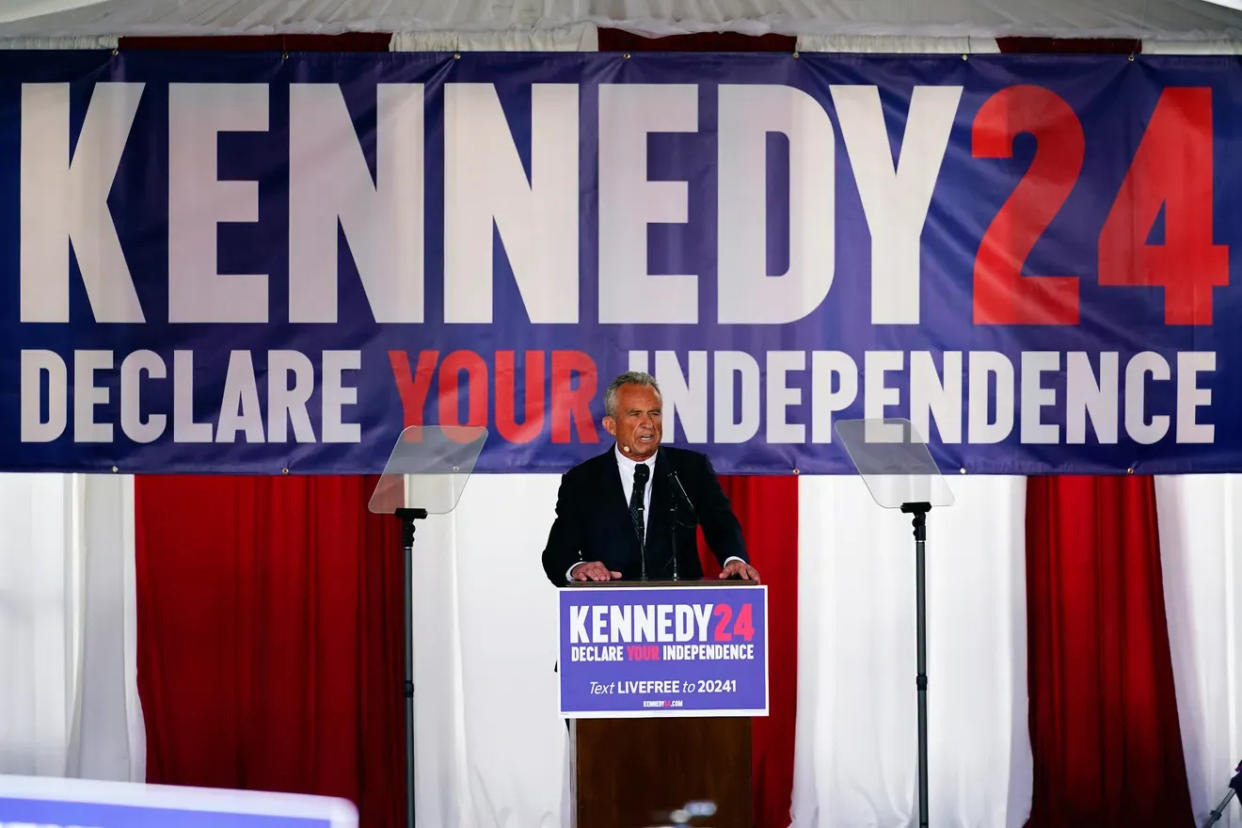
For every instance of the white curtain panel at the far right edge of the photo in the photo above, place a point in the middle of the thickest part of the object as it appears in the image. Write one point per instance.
(1200, 541)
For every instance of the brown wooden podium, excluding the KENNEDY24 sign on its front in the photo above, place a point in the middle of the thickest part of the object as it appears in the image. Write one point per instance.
(632, 773)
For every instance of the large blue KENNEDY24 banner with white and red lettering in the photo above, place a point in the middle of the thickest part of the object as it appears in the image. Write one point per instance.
(264, 263)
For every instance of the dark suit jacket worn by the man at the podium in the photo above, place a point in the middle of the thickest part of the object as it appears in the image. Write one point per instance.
(593, 520)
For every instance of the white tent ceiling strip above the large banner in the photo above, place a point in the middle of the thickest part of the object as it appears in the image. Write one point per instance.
(1171, 20)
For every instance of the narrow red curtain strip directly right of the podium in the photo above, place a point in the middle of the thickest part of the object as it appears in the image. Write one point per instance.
(767, 507)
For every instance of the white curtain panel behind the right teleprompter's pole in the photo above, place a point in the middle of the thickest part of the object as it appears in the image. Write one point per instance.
(856, 742)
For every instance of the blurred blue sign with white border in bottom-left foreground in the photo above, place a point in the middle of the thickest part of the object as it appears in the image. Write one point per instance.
(45, 801)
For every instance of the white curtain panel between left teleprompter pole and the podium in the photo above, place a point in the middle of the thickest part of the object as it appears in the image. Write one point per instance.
(492, 752)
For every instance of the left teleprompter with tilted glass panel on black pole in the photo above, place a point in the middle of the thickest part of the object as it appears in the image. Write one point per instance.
(425, 475)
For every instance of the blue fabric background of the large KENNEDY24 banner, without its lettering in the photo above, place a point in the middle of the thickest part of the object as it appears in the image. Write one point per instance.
(1112, 96)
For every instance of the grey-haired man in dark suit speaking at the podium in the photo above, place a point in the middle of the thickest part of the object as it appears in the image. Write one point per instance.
(632, 512)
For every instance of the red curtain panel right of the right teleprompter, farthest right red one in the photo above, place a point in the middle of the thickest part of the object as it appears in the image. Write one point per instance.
(1104, 714)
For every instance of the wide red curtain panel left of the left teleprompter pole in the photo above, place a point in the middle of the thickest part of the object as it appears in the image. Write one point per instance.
(270, 637)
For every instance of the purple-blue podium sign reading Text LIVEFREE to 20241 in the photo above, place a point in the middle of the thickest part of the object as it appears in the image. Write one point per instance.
(664, 651)
